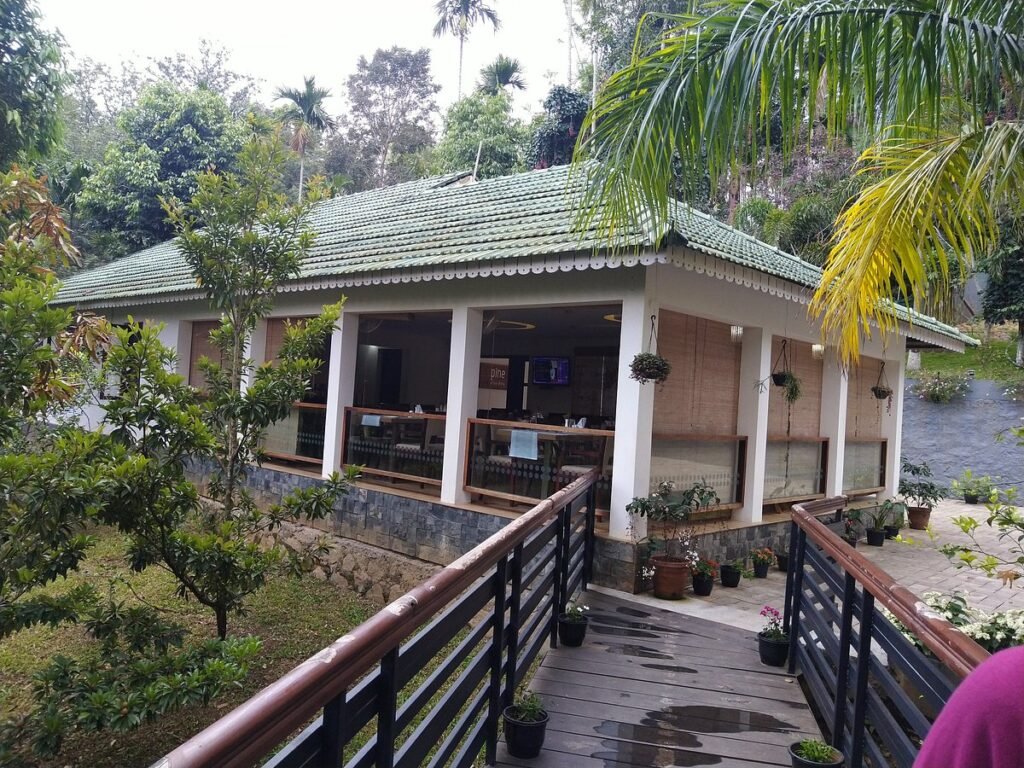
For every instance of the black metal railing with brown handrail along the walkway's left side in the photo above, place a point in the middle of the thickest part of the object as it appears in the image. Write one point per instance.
(425, 680)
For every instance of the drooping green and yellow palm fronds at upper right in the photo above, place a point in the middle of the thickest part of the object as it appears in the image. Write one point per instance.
(935, 87)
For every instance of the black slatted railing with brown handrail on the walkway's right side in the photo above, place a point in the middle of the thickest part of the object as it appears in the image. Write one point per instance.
(877, 690)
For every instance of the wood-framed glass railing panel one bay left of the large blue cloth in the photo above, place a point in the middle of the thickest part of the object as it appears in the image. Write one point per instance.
(396, 445)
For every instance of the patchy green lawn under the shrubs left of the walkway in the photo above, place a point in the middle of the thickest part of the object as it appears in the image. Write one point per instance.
(293, 618)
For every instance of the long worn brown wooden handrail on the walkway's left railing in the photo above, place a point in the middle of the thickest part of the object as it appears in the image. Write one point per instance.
(250, 732)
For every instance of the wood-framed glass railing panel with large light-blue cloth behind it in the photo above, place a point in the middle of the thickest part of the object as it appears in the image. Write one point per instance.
(525, 462)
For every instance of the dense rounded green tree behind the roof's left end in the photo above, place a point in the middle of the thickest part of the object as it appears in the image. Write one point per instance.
(168, 140)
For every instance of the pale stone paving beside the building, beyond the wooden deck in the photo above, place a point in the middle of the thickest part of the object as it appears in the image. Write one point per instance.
(917, 564)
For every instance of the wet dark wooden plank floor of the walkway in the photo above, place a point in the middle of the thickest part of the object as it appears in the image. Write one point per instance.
(655, 689)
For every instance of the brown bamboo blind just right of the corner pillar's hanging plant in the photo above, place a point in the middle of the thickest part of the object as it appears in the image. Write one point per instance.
(702, 393)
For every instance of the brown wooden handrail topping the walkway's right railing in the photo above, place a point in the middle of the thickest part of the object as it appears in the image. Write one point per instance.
(959, 653)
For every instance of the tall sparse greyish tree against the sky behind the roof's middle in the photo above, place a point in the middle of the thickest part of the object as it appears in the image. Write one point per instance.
(392, 104)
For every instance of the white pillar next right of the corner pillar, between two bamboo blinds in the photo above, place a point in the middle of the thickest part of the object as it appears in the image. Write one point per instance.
(752, 418)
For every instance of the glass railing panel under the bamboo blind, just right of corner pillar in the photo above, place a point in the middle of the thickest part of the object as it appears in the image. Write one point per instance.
(716, 460)
